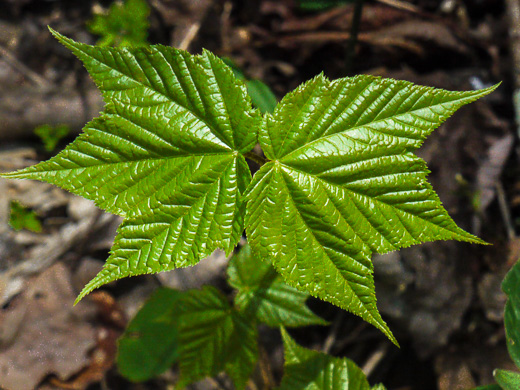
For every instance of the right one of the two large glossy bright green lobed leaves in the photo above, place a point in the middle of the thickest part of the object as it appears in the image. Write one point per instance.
(343, 183)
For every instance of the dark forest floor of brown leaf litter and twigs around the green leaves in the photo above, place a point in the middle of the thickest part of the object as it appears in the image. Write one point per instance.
(442, 300)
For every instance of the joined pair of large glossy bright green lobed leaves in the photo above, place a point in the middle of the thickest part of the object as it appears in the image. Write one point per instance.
(341, 181)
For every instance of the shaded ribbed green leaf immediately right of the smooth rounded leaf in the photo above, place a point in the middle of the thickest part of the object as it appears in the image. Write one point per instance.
(214, 338)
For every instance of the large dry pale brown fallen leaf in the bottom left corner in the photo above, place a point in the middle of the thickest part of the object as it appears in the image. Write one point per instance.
(50, 336)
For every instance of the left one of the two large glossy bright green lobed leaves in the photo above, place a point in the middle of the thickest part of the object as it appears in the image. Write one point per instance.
(166, 154)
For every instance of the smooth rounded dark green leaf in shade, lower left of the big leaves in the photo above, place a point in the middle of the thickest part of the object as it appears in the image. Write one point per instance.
(150, 344)
